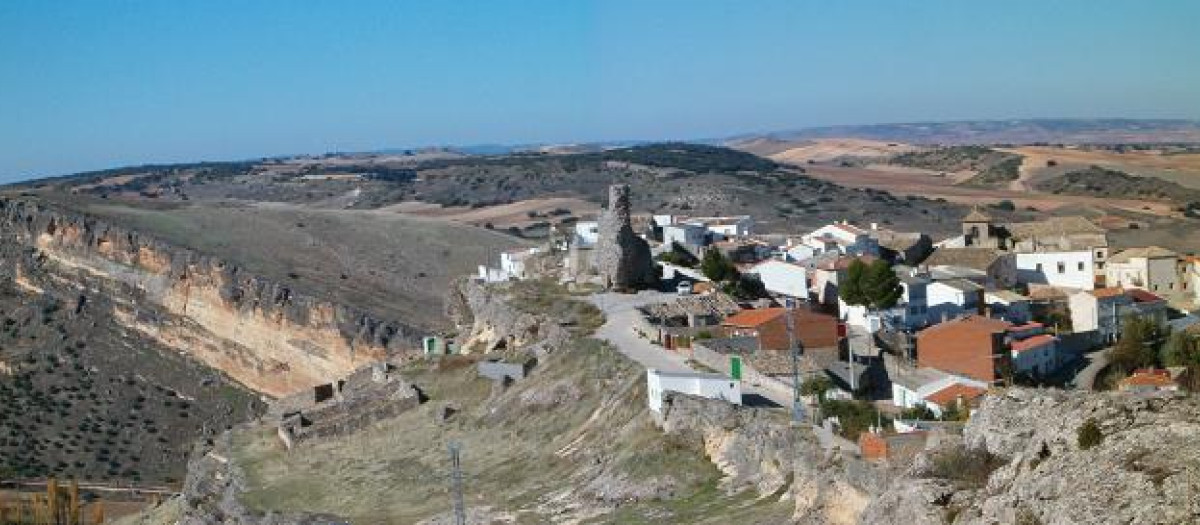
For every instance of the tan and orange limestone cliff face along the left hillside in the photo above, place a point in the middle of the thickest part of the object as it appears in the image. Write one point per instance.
(262, 334)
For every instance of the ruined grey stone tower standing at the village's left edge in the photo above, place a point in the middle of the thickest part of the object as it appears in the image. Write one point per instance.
(623, 260)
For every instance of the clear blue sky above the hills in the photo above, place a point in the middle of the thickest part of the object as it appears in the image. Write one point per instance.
(99, 85)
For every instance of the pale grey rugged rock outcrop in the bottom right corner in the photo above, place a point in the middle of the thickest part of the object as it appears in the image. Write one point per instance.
(1147, 469)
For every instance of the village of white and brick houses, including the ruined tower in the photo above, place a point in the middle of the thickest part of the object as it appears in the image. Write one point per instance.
(878, 339)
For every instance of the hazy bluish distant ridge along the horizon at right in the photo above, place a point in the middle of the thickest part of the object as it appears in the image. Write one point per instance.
(1051, 131)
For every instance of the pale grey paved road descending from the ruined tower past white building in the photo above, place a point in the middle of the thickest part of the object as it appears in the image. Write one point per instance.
(621, 313)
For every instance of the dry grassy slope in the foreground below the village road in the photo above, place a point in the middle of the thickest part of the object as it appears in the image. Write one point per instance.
(583, 413)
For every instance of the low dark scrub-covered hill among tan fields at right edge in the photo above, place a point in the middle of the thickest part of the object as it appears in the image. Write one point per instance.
(1099, 182)
